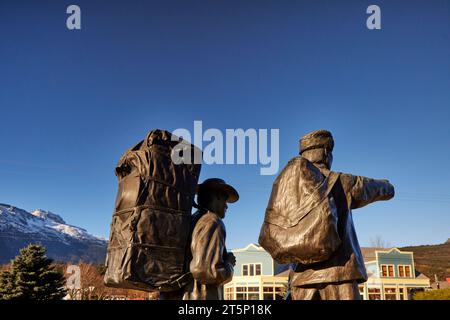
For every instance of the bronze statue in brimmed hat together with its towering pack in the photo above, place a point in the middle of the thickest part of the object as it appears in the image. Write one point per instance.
(155, 243)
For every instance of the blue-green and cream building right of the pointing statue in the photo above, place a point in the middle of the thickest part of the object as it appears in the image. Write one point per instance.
(391, 275)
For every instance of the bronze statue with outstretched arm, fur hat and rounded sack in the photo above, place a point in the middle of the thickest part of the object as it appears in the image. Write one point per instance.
(309, 222)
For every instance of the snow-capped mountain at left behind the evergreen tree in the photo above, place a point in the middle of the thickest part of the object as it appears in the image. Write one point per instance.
(64, 242)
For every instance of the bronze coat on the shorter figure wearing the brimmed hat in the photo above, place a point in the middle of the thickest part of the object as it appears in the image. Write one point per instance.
(209, 267)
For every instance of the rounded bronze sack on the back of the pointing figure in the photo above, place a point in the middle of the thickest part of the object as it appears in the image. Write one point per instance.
(300, 224)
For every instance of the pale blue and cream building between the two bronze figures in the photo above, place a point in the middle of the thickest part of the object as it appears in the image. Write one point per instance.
(256, 276)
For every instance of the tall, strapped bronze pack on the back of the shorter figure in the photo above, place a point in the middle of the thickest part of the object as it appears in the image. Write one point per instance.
(151, 222)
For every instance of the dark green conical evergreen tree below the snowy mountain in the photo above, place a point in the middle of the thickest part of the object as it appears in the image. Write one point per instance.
(32, 277)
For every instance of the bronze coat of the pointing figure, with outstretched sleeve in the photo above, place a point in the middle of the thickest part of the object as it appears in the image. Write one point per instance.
(346, 264)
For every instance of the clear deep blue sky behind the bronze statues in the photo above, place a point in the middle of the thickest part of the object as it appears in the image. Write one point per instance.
(73, 101)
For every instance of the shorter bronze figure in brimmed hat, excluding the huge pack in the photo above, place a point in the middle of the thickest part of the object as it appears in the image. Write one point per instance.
(211, 265)
